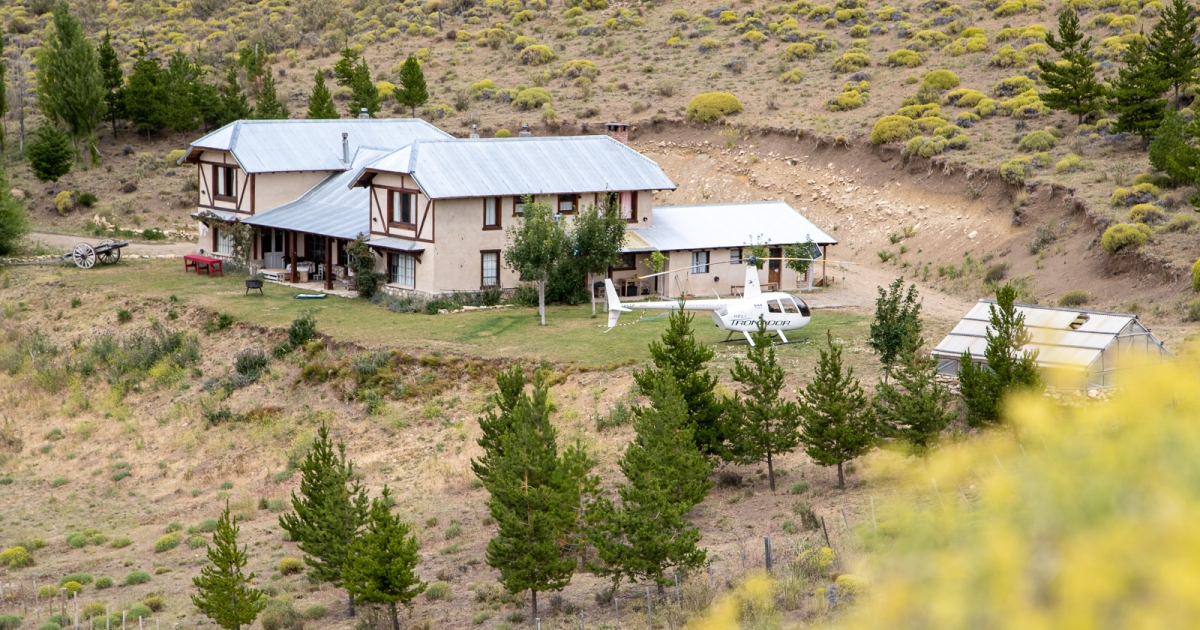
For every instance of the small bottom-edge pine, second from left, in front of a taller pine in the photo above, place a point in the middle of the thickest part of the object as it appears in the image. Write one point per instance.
(382, 563)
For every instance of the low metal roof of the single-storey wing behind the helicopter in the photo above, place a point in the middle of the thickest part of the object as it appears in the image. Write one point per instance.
(737, 225)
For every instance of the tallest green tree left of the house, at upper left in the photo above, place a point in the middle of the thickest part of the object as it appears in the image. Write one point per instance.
(70, 88)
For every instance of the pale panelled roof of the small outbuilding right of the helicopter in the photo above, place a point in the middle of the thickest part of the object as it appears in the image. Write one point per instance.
(1064, 338)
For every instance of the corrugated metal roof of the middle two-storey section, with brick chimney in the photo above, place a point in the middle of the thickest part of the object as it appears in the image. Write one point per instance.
(497, 167)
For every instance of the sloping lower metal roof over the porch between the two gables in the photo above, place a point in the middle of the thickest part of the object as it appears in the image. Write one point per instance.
(329, 209)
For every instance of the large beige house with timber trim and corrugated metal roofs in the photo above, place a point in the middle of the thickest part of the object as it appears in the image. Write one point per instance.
(435, 209)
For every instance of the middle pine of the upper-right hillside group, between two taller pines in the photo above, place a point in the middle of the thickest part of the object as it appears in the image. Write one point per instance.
(1138, 94)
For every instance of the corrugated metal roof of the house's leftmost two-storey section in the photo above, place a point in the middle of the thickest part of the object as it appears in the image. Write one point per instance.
(290, 146)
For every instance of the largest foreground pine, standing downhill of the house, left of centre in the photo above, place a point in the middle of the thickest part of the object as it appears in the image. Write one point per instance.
(524, 478)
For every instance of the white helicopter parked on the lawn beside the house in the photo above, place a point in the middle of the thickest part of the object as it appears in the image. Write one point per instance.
(781, 311)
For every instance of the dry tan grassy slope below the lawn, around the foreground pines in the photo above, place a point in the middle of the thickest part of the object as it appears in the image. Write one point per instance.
(421, 448)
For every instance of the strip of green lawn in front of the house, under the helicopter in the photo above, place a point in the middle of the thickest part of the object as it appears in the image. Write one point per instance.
(572, 335)
